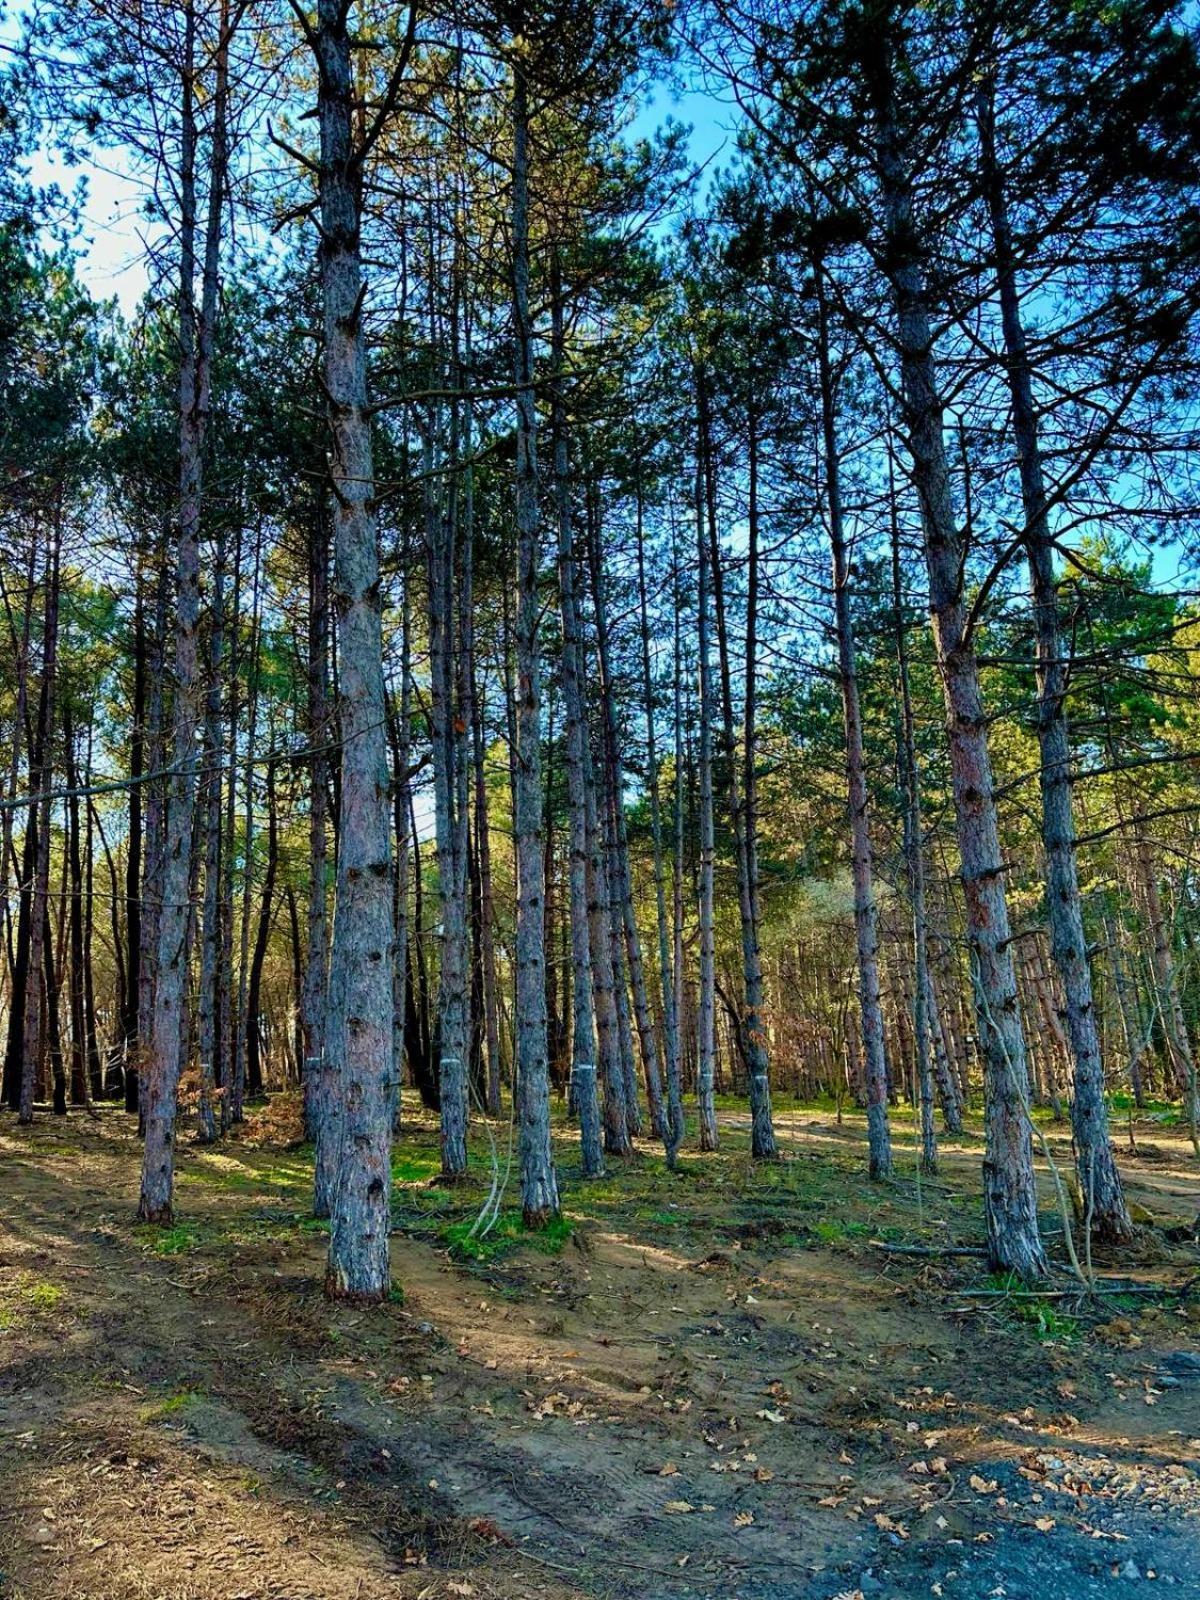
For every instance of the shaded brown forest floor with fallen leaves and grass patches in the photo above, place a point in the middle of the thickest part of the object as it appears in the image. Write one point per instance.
(716, 1383)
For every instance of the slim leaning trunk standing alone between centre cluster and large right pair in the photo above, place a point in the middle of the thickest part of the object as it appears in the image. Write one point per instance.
(866, 918)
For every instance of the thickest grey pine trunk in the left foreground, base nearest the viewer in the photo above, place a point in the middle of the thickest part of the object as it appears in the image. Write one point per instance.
(359, 1025)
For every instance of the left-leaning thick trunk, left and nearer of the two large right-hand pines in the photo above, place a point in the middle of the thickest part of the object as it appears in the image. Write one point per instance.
(1010, 1193)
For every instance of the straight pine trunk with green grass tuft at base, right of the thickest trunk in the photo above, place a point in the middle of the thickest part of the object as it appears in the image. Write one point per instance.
(540, 1186)
